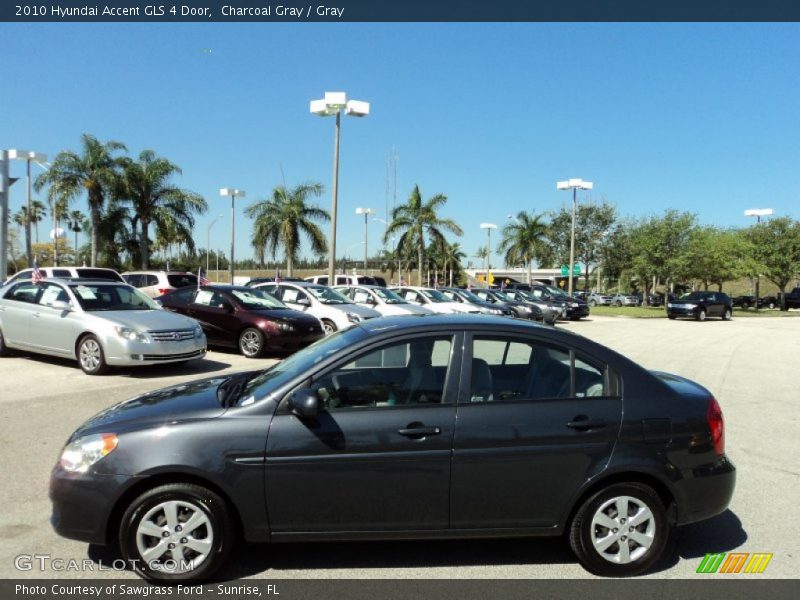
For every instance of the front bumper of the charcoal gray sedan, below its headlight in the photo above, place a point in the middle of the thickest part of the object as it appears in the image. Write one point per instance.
(82, 504)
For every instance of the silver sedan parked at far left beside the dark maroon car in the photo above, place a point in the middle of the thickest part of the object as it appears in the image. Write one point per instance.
(98, 323)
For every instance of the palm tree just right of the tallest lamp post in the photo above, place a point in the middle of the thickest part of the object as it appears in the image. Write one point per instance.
(417, 220)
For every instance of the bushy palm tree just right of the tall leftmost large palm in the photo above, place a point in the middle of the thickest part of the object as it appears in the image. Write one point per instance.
(145, 184)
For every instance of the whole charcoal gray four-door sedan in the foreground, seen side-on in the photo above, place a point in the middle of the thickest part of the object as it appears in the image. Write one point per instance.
(402, 427)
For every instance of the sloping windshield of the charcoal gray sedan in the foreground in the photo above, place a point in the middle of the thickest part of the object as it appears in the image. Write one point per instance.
(299, 362)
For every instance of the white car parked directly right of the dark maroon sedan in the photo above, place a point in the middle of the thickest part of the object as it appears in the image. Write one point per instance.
(334, 311)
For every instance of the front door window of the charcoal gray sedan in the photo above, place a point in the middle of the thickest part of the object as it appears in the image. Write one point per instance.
(410, 372)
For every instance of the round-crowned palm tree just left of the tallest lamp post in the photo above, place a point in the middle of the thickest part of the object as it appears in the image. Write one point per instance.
(281, 219)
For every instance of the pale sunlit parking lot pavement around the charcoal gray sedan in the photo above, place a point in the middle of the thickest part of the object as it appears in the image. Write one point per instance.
(749, 364)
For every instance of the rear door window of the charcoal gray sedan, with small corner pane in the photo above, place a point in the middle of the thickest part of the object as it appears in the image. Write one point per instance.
(511, 369)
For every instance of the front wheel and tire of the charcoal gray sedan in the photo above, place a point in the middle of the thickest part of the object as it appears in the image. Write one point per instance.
(209, 543)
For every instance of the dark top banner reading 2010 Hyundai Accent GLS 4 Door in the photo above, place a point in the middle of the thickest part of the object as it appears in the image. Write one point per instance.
(398, 10)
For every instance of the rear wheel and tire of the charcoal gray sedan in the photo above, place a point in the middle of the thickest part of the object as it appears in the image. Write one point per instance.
(587, 530)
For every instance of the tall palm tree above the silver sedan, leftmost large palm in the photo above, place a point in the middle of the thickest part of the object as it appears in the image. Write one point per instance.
(96, 171)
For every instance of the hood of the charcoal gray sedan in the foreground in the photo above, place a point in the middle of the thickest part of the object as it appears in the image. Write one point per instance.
(193, 400)
